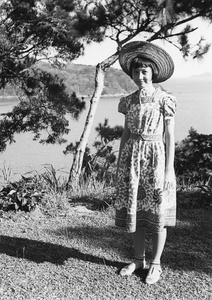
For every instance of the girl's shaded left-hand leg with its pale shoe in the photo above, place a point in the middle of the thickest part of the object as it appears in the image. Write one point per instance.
(139, 249)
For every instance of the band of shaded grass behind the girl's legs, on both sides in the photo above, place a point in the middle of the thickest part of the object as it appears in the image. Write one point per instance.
(188, 244)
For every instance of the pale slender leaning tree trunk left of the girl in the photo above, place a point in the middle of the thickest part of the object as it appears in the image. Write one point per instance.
(99, 85)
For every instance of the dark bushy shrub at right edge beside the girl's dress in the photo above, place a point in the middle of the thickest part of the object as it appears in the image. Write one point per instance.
(193, 164)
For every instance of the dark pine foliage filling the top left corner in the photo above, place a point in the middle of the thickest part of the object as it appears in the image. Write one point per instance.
(28, 30)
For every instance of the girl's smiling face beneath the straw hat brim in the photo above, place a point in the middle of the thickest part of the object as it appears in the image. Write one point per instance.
(142, 76)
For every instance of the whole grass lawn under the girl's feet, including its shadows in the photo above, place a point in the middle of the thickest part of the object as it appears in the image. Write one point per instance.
(76, 254)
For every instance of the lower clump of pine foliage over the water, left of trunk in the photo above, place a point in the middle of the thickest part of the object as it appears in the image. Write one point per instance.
(43, 113)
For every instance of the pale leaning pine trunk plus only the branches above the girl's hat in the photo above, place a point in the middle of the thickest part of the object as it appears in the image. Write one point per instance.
(148, 20)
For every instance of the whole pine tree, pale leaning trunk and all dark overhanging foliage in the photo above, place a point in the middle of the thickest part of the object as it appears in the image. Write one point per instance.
(57, 31)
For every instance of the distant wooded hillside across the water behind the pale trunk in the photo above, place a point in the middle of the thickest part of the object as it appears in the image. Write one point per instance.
(80, 79)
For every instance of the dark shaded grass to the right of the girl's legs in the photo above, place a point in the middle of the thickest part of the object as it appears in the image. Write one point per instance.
(188, 244)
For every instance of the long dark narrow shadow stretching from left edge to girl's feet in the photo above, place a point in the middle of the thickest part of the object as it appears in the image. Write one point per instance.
(41, 252)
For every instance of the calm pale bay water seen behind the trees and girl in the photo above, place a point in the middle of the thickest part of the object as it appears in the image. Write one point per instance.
(194, 109)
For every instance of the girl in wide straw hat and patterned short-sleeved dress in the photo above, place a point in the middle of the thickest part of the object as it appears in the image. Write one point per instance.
(146, 188)
